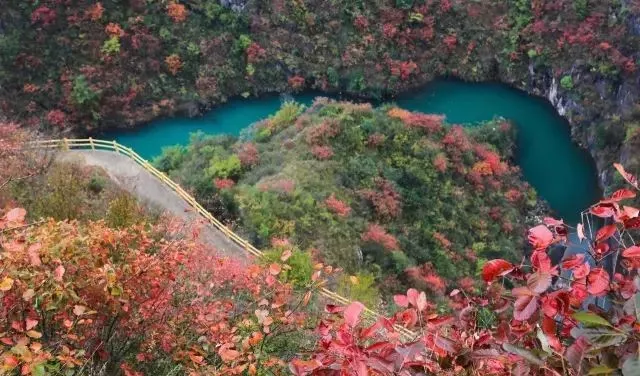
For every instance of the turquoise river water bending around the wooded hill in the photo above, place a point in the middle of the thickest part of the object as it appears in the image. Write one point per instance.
(561, 172)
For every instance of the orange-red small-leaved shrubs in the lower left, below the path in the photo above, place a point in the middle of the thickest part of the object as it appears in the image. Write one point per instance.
(130, 300)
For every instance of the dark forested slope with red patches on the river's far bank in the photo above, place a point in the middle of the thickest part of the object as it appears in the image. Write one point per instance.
(86, 65)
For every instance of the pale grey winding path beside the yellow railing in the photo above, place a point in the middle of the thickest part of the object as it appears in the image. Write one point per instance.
(131, 177)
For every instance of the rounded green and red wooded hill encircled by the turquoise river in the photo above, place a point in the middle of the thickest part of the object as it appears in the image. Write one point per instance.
(394, 193)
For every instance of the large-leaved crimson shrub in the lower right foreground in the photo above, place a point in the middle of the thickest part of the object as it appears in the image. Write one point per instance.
(540, 327)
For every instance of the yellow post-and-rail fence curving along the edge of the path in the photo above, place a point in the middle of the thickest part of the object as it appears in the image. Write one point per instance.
(93, 144)
